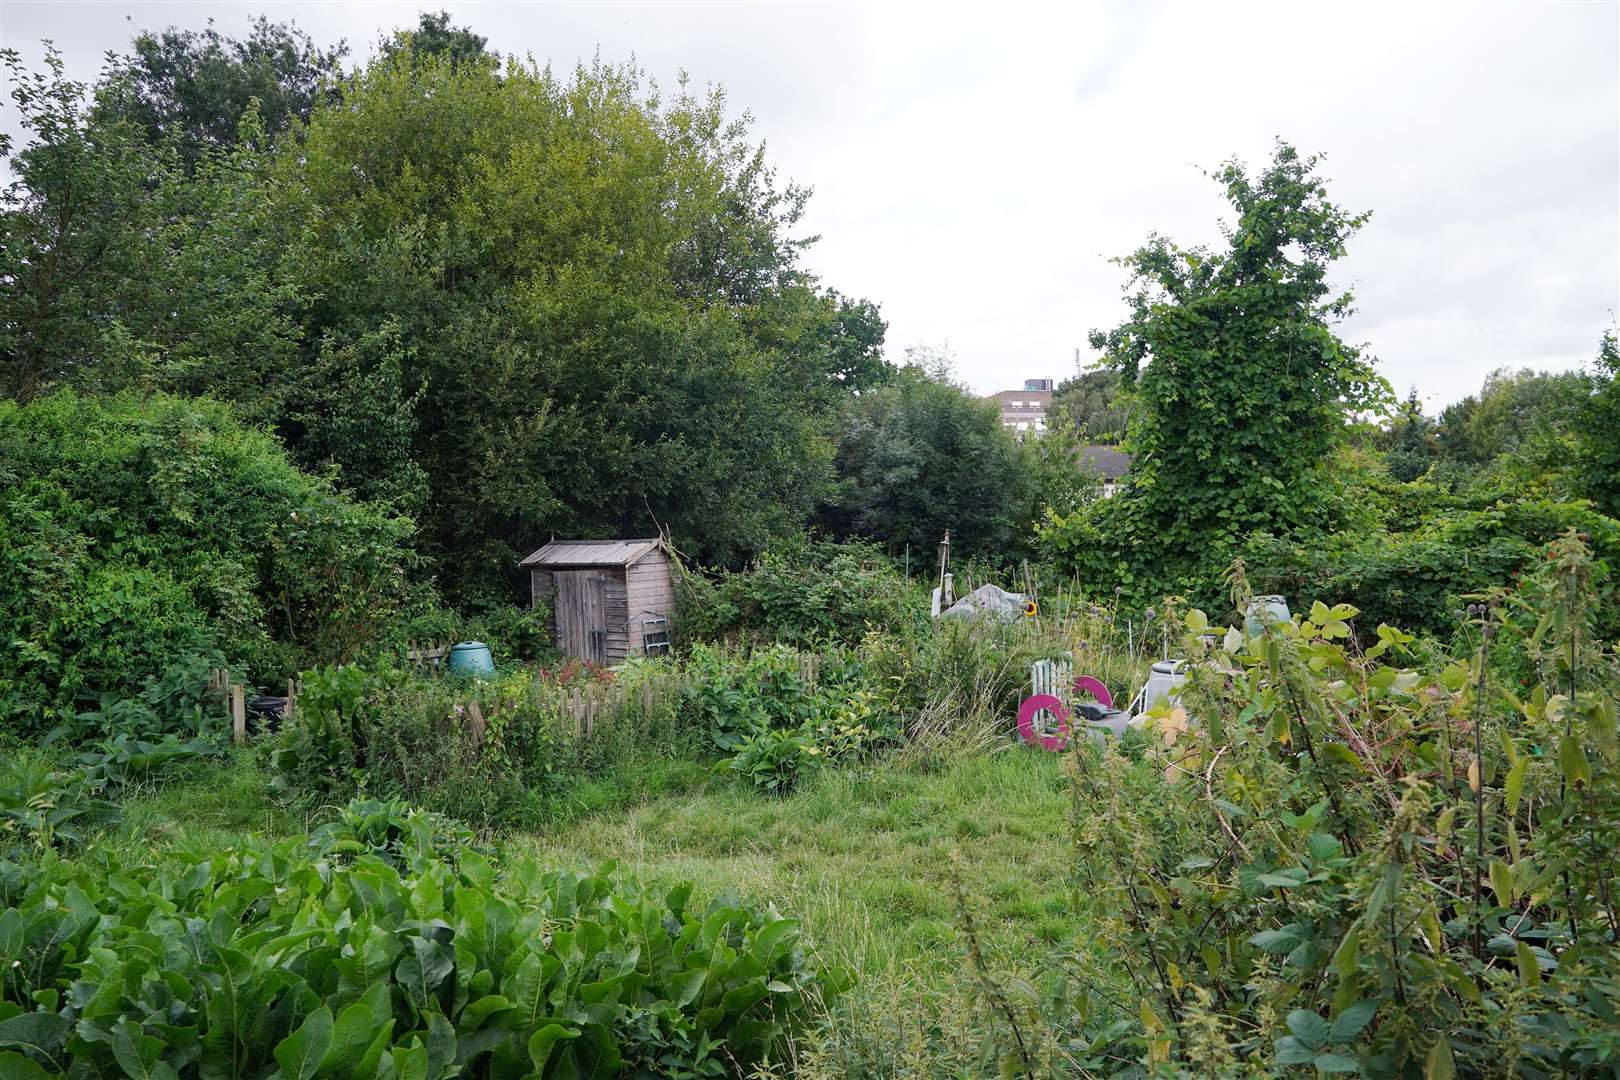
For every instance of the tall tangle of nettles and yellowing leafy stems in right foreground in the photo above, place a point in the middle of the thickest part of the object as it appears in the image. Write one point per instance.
(1339, 864)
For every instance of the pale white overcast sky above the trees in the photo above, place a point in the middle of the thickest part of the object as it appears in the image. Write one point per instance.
(976, 168)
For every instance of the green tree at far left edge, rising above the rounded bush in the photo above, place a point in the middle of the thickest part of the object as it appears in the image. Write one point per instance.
(126, 268)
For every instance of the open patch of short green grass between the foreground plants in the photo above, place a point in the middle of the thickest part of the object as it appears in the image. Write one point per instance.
(864, 861)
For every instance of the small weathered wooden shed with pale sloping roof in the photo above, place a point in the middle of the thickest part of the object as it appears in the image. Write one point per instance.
(610, 600)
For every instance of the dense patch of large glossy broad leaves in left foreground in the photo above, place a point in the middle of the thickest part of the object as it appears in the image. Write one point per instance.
(281, 963)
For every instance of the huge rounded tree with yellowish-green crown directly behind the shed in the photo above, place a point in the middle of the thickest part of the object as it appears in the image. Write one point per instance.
(599, 317)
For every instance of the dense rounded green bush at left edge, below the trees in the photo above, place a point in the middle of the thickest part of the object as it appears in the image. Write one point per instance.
(139, 535)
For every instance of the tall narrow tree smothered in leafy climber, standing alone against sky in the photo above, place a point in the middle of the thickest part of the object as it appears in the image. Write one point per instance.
(1242, 386)
